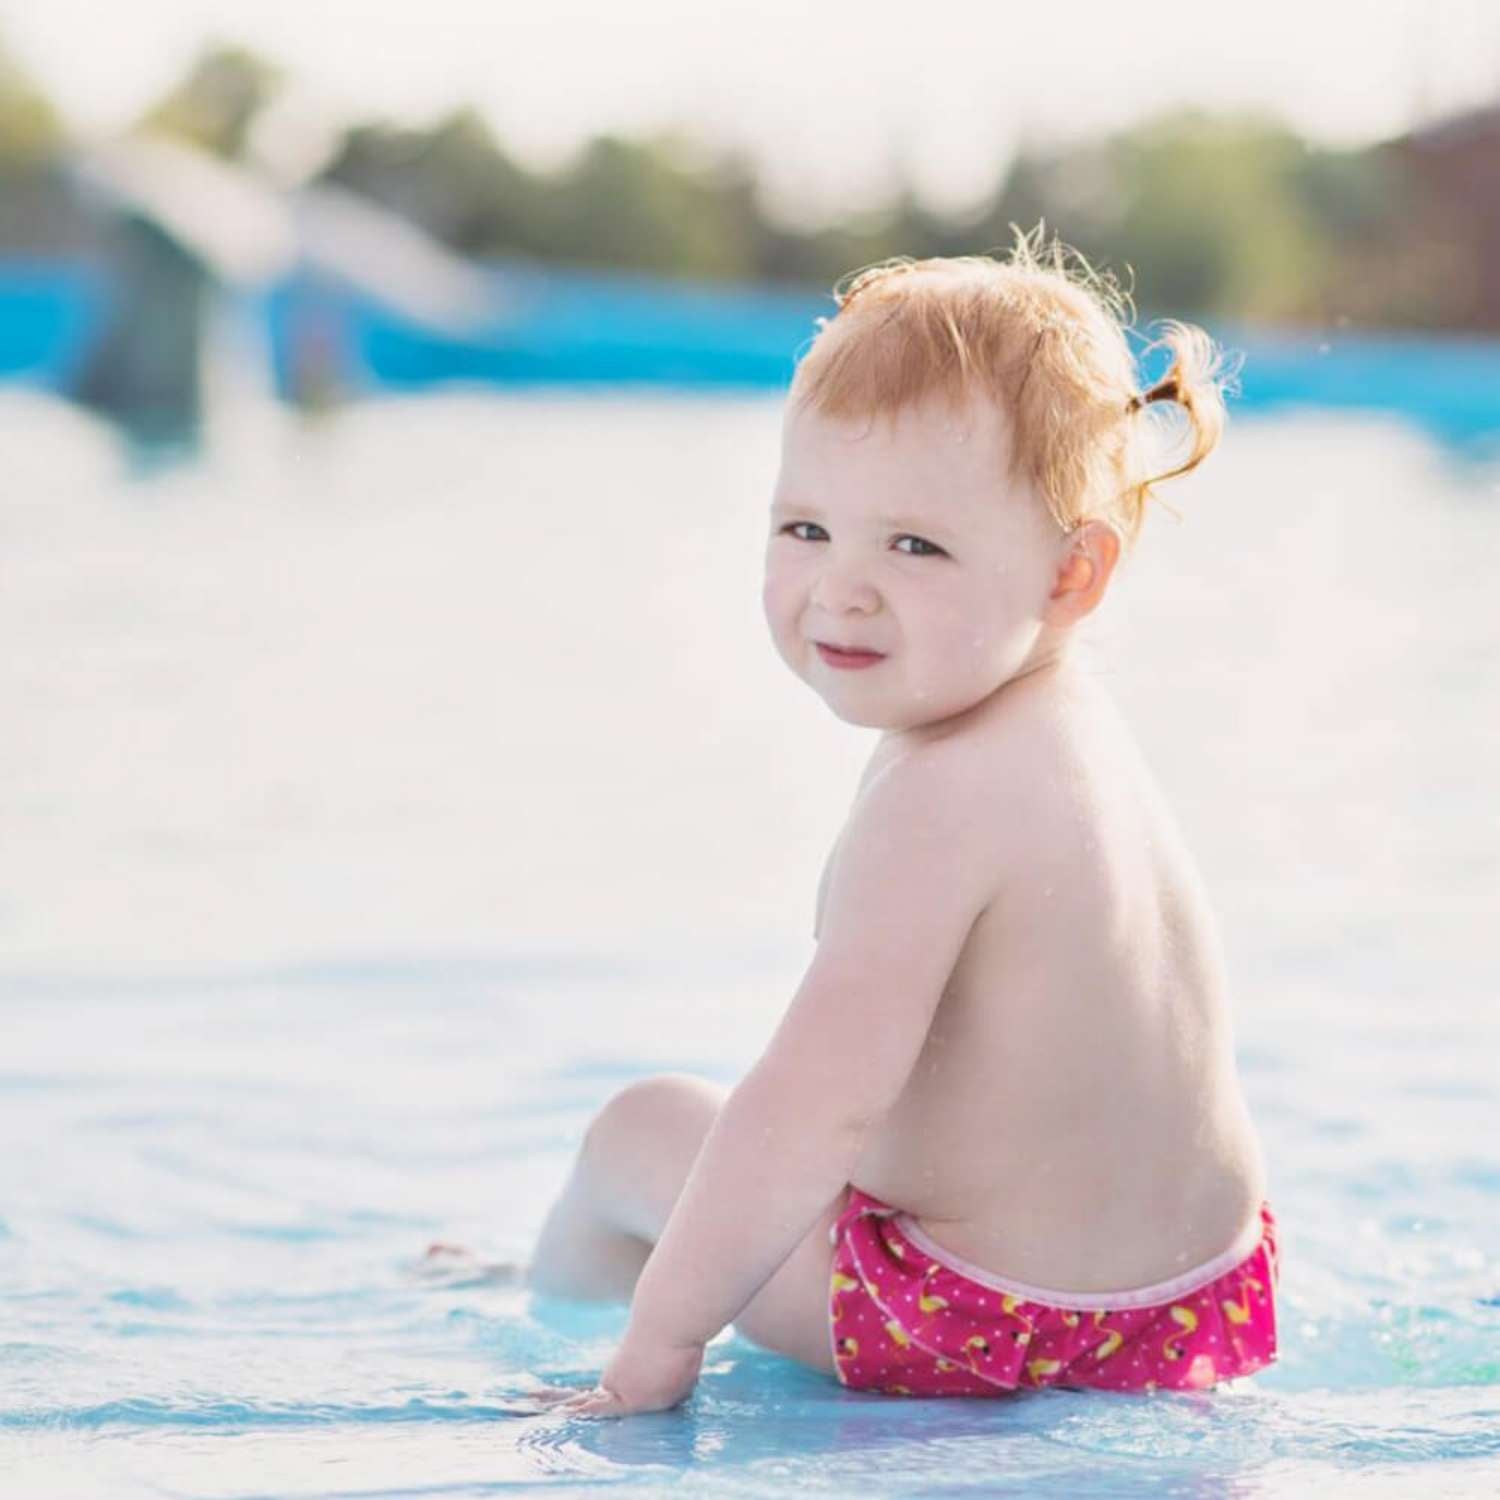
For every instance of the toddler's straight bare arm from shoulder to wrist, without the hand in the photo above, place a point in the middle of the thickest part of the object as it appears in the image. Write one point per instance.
(914, 871)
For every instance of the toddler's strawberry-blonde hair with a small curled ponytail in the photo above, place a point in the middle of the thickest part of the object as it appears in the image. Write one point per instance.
(1045, 340)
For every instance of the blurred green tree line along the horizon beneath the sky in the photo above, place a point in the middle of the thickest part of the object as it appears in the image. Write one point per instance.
(1205, 215)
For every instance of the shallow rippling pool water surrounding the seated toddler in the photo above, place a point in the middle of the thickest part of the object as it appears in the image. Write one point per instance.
(380, 800)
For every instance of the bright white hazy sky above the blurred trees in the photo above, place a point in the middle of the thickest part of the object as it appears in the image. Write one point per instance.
(830, 98)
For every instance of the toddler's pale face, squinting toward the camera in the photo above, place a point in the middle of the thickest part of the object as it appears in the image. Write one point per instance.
(907, 539)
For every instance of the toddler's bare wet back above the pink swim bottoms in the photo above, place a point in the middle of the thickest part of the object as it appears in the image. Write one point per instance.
(1075, 1118)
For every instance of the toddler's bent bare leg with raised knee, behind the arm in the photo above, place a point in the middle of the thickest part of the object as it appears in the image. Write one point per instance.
(625, 1183)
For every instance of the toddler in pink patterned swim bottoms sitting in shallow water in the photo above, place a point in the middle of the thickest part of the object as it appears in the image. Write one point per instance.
(998, 1141)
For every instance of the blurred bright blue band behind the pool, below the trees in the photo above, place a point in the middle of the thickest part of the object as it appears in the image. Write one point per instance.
(583, 328)
